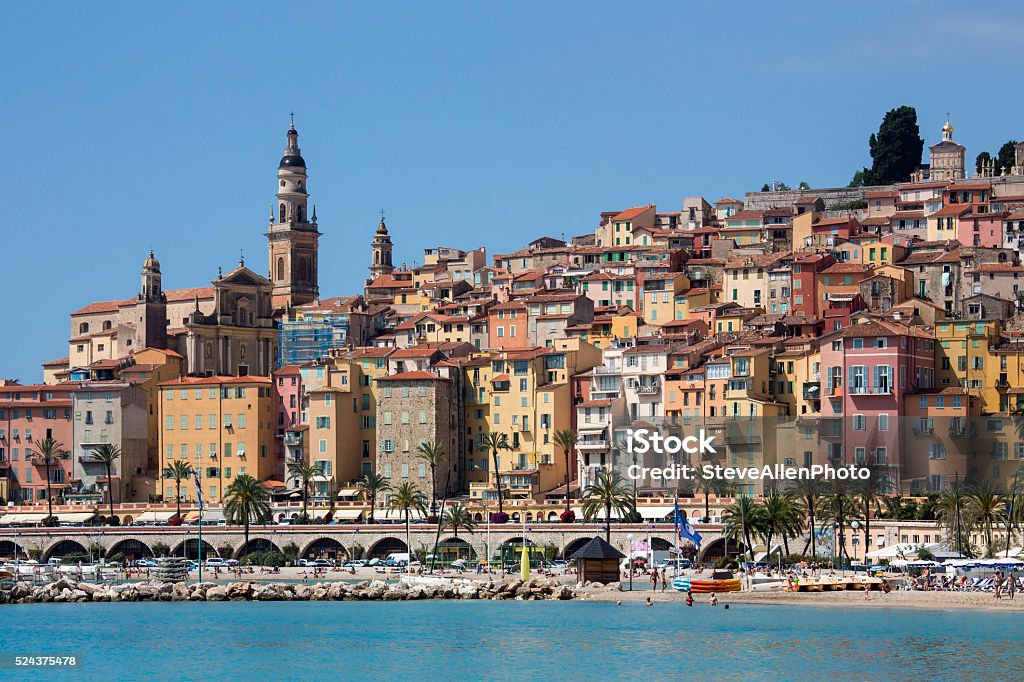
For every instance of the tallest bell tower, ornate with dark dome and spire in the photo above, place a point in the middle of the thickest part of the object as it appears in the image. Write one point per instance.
(292, 235)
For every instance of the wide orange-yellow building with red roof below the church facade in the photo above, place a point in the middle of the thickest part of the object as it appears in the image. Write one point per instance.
(223, 427)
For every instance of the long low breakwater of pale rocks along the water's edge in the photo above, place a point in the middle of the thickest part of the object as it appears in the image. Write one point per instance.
(70, 591)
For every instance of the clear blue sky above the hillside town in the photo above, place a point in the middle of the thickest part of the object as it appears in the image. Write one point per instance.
(131, 126)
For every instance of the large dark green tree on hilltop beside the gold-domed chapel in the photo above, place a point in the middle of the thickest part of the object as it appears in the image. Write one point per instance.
(895, 149)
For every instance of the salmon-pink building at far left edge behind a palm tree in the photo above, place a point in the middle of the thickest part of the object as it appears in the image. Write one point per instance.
(29, 415)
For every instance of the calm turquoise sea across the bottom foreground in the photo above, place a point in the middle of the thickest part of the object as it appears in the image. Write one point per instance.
(470, 641)
